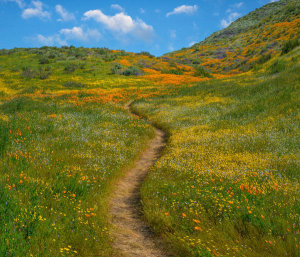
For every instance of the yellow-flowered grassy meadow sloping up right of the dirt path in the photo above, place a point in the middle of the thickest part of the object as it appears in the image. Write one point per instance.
(228, 181)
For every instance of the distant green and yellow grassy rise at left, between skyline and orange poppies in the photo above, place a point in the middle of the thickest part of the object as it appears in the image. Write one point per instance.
(20, 69)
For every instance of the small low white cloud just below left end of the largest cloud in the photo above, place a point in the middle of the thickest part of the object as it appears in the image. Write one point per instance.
(77, 33)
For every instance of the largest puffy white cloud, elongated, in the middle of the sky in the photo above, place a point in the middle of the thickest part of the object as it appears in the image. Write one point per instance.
(122, 23)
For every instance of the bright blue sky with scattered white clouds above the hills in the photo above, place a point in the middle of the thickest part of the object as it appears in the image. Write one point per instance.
(157, 26)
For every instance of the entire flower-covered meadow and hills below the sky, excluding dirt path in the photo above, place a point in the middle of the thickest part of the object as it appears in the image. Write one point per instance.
(228, 181)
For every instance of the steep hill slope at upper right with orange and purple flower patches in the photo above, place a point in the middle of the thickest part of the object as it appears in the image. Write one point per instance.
(252, 39)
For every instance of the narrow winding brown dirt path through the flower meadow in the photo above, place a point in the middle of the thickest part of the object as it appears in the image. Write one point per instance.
(132, 236)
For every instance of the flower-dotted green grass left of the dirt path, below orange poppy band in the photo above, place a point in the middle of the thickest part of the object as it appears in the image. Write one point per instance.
(58, 164)
